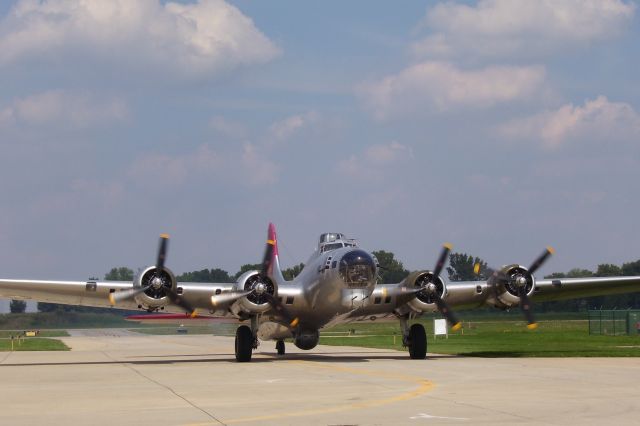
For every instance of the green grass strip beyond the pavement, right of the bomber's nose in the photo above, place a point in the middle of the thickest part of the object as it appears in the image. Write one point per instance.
(505, 338)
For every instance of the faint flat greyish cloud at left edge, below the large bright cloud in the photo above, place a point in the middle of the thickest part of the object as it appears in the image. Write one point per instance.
(58, 108)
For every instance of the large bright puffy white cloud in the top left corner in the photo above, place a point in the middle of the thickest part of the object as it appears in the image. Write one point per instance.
(183, 40)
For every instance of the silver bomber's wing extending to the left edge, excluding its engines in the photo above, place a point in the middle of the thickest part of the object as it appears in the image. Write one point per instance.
(96, 293)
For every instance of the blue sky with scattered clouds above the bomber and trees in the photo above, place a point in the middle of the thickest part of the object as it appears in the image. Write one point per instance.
(499, 126)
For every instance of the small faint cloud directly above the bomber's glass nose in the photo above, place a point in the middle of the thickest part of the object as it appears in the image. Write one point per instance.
(373, 162)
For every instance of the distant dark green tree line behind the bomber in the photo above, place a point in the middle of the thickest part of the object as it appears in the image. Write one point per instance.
(392, 270)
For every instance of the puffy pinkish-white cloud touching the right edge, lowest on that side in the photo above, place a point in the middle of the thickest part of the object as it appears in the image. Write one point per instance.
(598, 120)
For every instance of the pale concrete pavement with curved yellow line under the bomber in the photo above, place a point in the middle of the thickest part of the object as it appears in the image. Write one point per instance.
(113, 378)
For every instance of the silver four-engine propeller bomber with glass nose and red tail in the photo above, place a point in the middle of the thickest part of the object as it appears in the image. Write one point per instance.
(337, 285)
